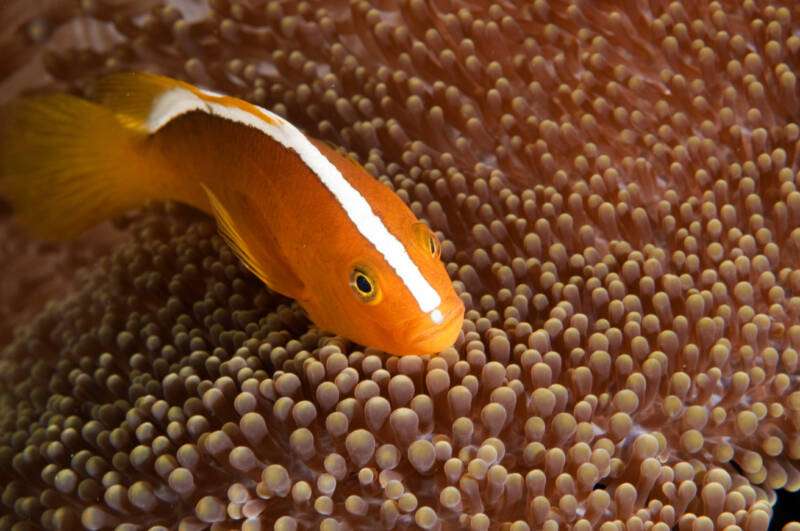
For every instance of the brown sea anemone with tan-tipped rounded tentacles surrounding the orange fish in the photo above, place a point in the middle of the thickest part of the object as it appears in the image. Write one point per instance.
(615, 188)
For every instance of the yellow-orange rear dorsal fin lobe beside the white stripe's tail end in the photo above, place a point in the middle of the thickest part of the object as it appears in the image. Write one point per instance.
(132, 95)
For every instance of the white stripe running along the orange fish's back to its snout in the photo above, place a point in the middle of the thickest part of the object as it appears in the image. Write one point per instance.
(178, 101)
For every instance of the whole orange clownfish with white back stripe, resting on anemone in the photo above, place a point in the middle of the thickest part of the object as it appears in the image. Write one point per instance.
(311, 224)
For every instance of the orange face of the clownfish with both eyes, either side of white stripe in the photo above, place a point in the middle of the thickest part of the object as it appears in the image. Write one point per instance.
(366, 300)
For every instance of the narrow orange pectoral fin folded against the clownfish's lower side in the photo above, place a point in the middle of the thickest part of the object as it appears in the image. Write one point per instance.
(276, 273)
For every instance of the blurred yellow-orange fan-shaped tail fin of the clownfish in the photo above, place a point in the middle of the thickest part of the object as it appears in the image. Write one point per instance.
(66, 164)
